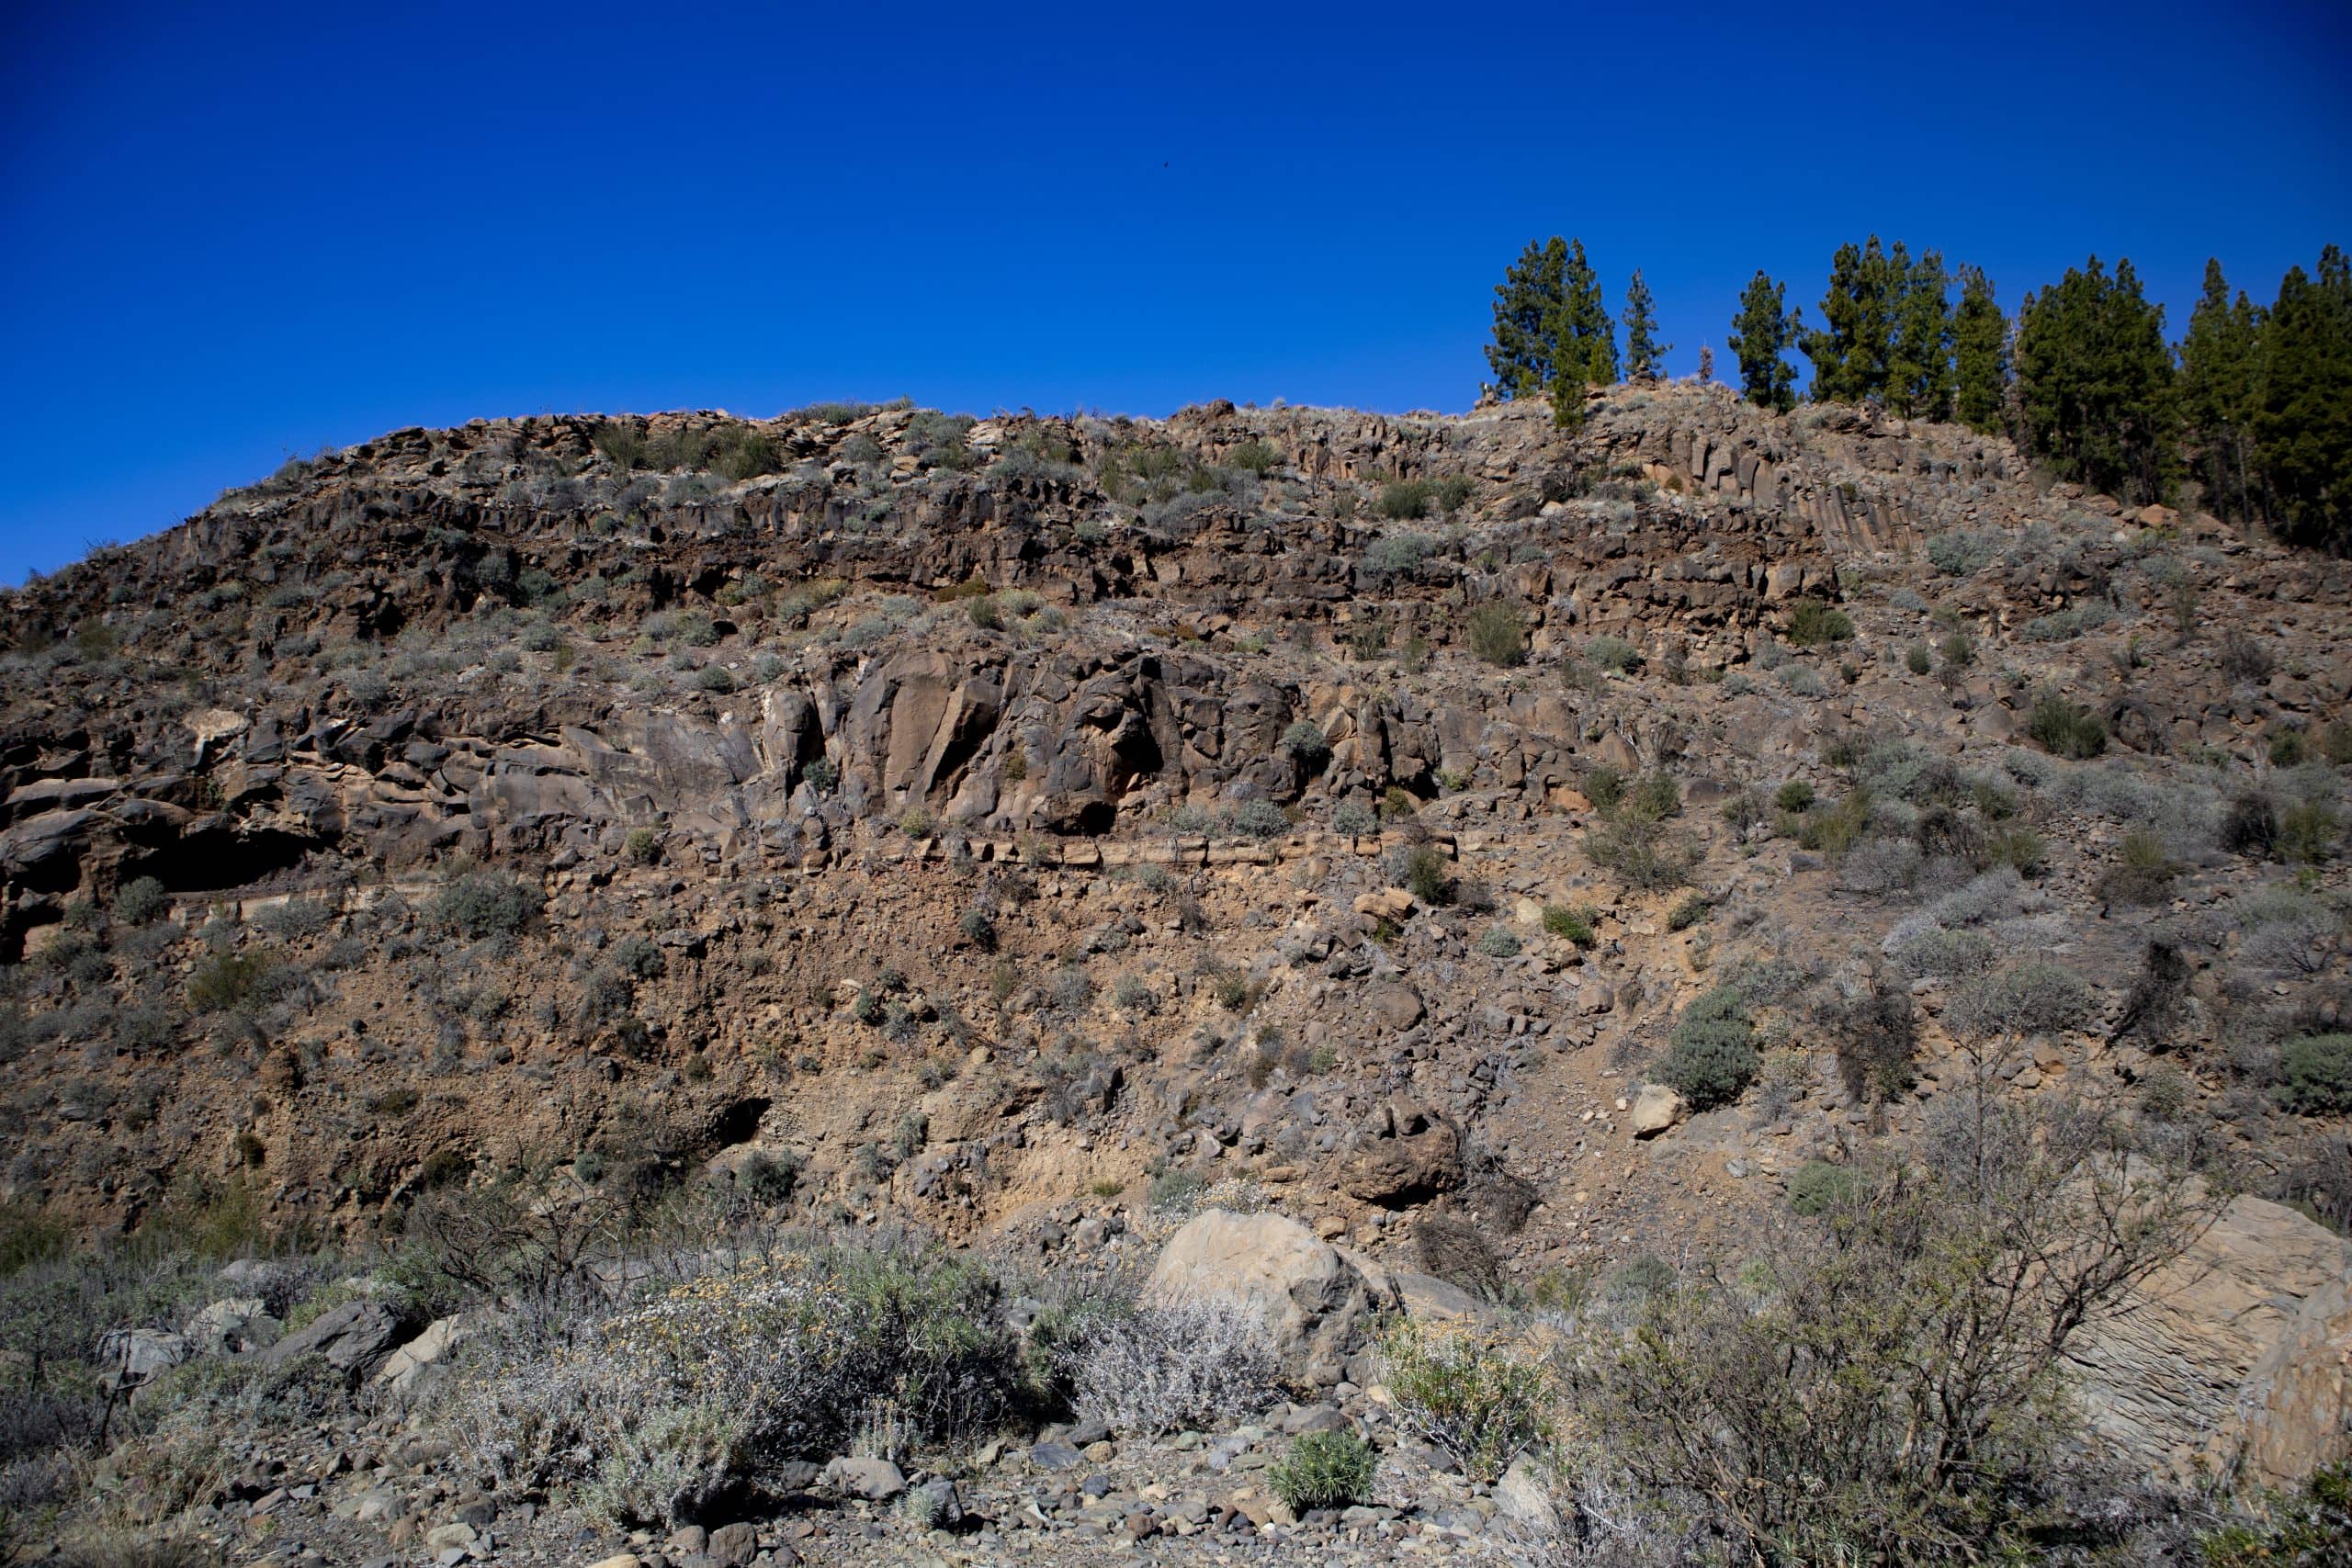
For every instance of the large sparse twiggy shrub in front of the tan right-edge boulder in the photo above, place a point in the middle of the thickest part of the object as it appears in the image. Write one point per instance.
(1887, 1388)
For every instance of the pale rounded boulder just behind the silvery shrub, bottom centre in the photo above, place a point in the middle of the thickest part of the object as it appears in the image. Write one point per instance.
(1316, 1299)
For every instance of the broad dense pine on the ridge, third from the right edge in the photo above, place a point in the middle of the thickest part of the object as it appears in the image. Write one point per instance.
(2097, 382)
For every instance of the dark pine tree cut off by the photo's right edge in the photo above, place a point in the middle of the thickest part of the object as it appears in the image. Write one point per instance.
(2304, 420)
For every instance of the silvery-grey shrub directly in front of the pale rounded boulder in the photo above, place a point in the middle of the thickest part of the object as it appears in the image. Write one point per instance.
(1165, 1369)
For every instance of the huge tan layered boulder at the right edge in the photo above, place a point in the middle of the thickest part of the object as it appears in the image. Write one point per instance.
(2238, 1353)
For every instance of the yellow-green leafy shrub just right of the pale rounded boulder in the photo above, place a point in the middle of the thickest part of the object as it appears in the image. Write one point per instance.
(1469, 1395)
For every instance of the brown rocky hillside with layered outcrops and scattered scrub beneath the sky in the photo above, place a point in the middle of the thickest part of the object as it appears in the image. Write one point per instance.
(1516, 855)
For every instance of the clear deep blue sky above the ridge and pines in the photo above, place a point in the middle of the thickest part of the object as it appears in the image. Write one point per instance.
(234, 234)
